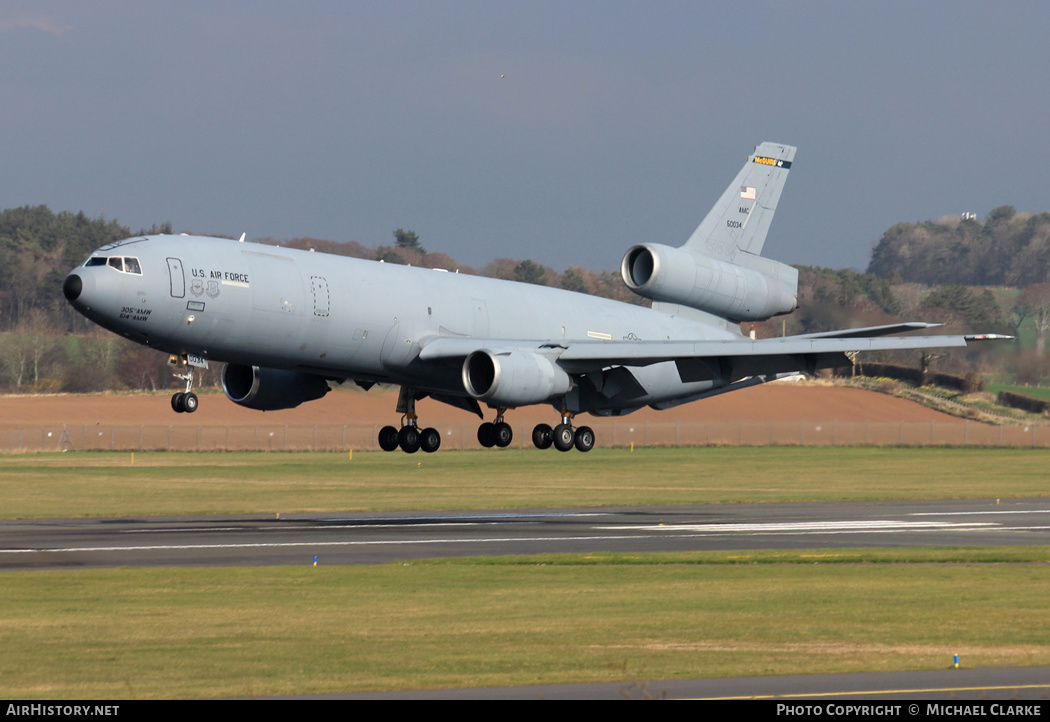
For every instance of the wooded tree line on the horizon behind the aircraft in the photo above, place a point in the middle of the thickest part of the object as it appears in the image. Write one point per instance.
(962, 272)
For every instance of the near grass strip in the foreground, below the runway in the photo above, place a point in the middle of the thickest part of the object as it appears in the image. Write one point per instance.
(148, 633)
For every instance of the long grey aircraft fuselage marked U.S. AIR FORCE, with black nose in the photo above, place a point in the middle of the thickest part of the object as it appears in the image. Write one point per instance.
(343, 317)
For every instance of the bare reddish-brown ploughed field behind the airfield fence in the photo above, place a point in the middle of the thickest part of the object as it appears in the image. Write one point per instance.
(779, 402)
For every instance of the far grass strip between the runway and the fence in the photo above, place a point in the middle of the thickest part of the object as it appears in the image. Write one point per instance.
(102, 484)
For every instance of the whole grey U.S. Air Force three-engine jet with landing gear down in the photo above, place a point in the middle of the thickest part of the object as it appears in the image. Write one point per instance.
(290, 324)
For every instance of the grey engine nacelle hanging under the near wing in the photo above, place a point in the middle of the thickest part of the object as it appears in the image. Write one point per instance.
(515, 378)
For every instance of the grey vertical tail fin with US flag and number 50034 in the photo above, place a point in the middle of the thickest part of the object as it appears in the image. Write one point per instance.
(742, 218)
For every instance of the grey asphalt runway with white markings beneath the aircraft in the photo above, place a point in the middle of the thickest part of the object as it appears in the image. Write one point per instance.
(363, 539)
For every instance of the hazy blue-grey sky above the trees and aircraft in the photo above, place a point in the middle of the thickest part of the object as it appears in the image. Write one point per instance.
(559, 132)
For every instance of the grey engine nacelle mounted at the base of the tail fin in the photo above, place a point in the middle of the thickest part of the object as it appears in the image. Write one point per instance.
(728, 290)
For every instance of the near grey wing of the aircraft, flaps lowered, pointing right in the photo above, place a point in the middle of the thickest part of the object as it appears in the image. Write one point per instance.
(701, 360)
